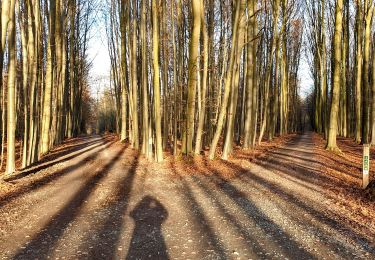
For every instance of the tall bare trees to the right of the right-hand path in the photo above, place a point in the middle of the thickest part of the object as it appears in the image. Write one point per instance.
(341, 54)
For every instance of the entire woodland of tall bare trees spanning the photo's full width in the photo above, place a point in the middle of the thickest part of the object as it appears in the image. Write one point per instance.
(186, 76)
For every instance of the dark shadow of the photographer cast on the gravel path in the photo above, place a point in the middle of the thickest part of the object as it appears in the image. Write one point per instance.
(147, 241)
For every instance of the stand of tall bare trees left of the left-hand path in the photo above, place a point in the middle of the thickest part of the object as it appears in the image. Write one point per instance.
(45, 75)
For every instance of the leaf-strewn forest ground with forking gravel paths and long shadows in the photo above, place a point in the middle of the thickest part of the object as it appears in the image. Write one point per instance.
(95, 198)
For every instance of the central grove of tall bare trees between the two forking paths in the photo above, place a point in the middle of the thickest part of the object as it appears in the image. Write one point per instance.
(195, 75)
